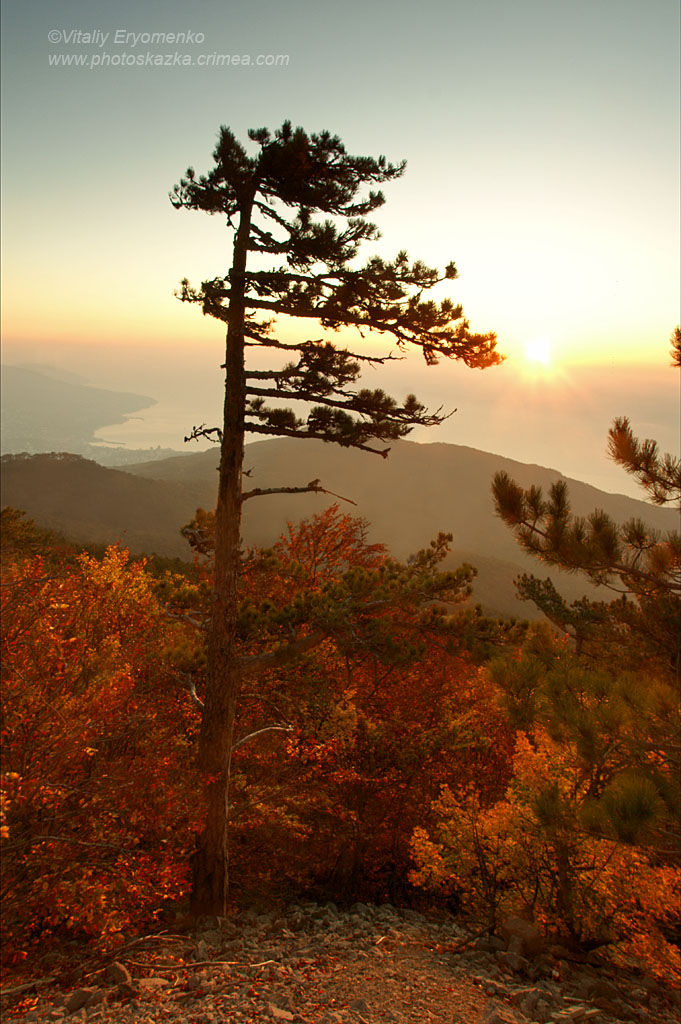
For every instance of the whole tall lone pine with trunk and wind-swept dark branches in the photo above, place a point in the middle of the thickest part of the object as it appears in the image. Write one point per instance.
(272, 202)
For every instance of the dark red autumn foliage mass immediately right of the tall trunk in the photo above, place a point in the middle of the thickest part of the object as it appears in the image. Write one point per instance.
(353, 742)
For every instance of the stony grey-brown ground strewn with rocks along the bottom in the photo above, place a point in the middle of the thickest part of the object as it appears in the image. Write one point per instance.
(364, 966)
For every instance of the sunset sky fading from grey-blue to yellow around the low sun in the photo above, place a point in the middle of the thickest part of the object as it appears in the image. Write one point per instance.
(542, 142)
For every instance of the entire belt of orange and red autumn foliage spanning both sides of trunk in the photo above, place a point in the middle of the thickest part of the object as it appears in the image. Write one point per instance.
(389, 761)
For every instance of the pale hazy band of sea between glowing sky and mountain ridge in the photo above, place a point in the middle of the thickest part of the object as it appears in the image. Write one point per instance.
(498, 411)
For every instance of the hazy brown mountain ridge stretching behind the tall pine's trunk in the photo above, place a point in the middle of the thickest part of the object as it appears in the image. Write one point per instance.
(408, 498)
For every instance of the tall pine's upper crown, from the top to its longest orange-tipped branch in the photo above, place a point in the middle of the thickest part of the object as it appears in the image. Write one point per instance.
(314, 175)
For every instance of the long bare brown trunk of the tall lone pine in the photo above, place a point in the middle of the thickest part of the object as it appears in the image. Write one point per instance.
(210, 863)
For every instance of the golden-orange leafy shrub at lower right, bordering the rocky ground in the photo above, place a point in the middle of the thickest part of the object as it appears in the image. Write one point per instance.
(531, 852)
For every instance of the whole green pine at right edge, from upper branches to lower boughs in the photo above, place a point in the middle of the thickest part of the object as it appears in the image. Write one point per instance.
(628, 652)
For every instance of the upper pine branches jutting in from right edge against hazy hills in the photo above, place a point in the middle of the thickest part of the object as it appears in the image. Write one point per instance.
(640, 564)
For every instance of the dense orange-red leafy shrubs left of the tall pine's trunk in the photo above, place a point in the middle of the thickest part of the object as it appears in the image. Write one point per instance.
(97, 754)
